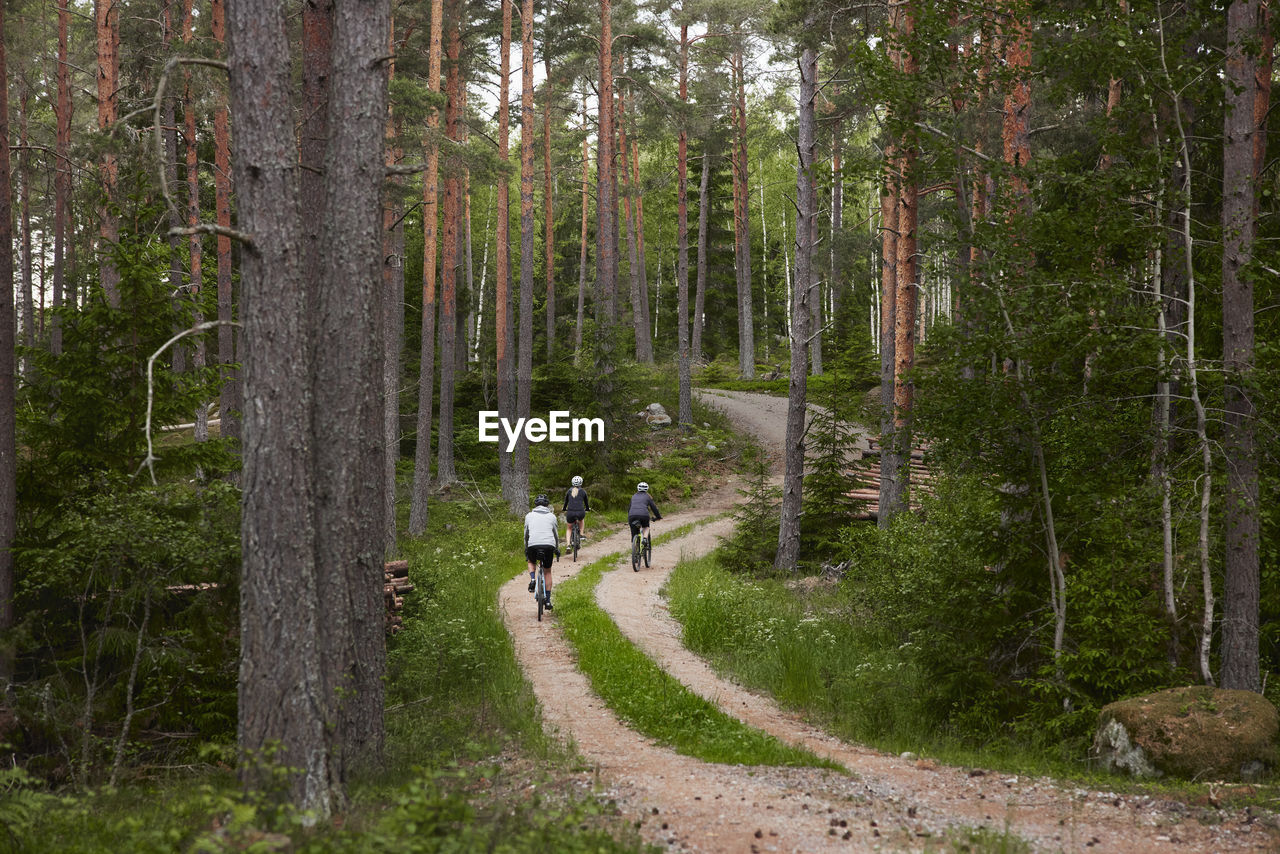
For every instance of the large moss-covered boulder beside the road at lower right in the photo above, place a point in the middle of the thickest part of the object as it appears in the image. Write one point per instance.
(1195, 733)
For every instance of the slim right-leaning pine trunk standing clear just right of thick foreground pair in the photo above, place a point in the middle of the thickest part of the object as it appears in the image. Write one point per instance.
(418, 514)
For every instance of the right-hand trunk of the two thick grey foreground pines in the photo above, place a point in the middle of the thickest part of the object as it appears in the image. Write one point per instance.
(349, 418)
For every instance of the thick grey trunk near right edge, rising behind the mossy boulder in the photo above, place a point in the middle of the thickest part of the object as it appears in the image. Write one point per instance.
(1245, 101)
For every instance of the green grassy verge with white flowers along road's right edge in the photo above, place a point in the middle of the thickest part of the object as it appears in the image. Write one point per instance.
(807, 649)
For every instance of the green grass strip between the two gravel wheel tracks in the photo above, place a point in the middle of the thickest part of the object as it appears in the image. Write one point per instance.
(648, 698)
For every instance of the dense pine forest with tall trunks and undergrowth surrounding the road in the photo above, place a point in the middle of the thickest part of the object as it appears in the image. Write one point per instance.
(269, 261)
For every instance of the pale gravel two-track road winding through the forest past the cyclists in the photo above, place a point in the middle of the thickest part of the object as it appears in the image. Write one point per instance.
(884, 803)
